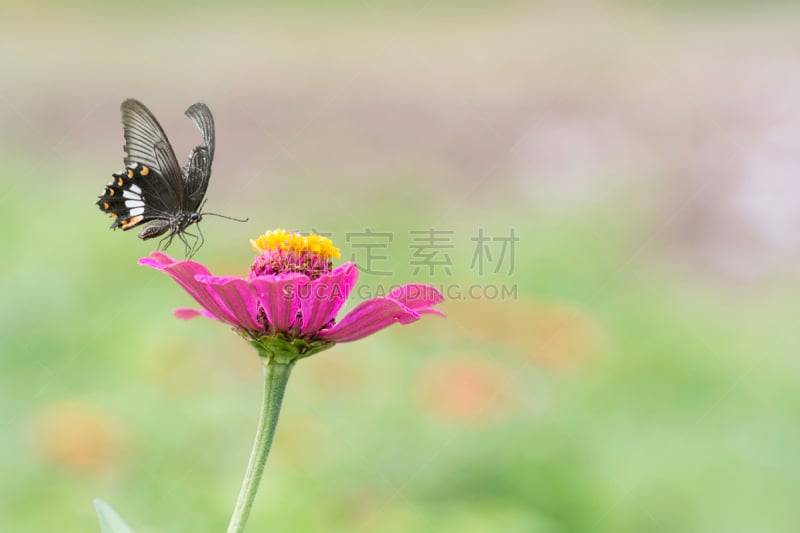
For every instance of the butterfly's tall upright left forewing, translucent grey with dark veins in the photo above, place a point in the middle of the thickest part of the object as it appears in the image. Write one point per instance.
(147, 145)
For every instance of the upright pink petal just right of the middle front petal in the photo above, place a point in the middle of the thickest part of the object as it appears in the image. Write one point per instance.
(323, 298)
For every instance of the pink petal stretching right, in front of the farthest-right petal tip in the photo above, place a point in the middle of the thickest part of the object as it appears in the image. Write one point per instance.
(367, 318)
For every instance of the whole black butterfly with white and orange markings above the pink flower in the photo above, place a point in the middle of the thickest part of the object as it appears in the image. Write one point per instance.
(153, 186)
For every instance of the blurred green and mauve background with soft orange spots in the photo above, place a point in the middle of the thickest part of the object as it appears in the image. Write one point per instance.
(633, 368)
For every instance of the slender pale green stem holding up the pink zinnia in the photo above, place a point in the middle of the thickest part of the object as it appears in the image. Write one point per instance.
(276, 376)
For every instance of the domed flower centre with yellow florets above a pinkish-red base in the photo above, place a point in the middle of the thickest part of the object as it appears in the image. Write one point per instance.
(282, 252)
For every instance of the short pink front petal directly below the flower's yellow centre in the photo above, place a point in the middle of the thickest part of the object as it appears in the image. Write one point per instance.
(280, 298)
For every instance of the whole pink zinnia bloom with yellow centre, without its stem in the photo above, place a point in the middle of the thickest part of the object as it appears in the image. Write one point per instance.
(288, 305)
